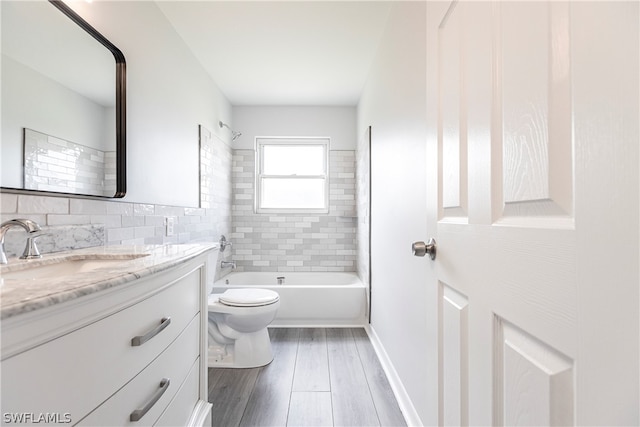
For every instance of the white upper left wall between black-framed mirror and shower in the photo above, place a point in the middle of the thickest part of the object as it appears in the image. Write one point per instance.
(168, 95)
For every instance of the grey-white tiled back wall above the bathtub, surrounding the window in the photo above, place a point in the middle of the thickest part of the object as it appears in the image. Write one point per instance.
(302, 242)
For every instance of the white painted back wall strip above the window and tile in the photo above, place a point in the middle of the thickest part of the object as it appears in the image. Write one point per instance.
(339, 123)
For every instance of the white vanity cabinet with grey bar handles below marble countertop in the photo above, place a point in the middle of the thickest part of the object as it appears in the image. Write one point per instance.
(133, 354)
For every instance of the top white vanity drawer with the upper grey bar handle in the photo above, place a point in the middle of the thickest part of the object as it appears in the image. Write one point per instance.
(86, 366)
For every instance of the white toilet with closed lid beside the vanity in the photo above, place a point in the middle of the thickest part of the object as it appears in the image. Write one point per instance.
(238, 320)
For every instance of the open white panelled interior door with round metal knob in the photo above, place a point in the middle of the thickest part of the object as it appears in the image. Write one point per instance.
(535, 213)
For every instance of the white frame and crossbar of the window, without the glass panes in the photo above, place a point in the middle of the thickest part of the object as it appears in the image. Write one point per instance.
(261, 142)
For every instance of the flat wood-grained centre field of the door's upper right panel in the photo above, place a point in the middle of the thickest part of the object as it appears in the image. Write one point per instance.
(525, 101)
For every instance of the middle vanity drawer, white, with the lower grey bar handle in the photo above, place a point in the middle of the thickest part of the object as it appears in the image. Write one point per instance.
(174, 365)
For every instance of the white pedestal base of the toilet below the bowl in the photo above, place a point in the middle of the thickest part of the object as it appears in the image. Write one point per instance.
(251, 350)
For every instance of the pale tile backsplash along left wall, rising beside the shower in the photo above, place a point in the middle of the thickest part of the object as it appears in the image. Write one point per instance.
(72, 223)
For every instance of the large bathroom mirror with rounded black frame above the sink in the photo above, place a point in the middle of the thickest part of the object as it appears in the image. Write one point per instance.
(63, 103)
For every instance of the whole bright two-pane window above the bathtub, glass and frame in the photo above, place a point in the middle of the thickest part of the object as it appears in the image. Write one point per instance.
(292, 175)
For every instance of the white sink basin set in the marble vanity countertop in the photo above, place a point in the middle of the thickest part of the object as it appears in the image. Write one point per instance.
(65, 266)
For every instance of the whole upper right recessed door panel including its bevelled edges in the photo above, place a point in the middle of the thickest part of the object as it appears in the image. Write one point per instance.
(533, 89)
